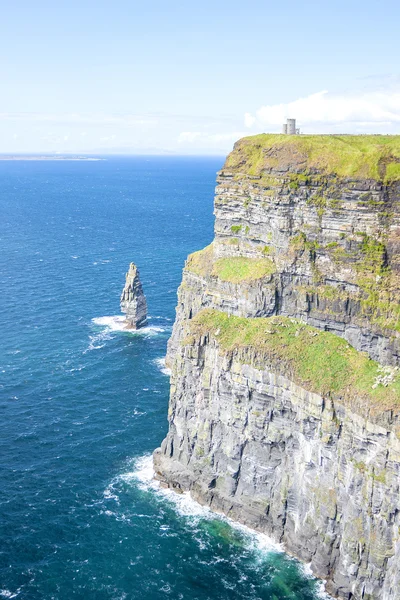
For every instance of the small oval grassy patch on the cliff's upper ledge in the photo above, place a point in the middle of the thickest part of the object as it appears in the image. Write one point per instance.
(234, 269)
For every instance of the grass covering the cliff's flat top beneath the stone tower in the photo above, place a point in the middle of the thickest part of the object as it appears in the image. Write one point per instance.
(359, 156)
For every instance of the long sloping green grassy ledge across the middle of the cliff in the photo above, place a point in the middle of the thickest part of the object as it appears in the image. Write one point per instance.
(318, 360)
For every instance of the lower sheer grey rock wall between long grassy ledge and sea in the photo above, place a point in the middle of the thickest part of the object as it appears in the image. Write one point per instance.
(307, 469)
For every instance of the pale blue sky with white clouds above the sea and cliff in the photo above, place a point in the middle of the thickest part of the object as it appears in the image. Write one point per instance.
(169, 77)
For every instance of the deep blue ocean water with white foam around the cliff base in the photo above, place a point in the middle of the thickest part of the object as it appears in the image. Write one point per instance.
(84, 404)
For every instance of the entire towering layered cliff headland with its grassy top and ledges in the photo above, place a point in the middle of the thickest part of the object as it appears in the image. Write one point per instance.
(285, 388)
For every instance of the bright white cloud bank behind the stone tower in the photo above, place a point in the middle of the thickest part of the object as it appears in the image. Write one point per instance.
(358, 111)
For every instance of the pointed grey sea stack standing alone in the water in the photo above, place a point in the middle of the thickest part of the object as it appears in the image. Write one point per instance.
(133, 300)
